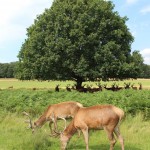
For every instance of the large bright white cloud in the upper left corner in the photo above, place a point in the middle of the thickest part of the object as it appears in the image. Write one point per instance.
(17, 15)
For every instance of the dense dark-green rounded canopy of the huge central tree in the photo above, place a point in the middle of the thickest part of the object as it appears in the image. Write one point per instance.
(79, 40)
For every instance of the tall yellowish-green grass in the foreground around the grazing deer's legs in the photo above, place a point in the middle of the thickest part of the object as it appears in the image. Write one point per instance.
(15, 136)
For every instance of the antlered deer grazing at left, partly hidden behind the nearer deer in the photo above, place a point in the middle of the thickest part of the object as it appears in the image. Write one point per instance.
(53, 113)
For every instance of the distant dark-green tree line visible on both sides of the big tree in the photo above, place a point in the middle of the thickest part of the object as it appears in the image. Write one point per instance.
(8, 70)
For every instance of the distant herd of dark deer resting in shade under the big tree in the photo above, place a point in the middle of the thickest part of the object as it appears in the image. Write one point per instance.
(88, 88)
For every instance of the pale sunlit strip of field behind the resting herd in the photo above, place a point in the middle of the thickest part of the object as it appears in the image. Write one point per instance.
(6, 83)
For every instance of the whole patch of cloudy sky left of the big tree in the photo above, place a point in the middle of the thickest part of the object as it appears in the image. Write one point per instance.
(15, 17)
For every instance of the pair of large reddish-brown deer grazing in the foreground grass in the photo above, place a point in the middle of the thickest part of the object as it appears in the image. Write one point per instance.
(106, 117)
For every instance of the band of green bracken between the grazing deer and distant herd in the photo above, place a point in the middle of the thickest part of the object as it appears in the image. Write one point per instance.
(36, 102)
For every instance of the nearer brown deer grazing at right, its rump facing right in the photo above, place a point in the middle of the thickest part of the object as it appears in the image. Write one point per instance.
(106, 117)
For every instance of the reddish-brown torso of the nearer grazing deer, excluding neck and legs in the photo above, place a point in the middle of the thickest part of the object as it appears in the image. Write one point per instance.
(98, 116)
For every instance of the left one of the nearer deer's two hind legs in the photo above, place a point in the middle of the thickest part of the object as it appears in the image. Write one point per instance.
(110, 137)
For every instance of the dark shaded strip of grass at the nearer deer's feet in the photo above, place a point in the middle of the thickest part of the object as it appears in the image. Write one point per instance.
(101, 147)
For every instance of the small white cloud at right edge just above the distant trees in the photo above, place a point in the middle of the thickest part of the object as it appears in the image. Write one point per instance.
(146, 55)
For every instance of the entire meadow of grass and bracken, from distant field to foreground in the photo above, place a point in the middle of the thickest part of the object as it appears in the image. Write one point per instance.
(13, 101)
